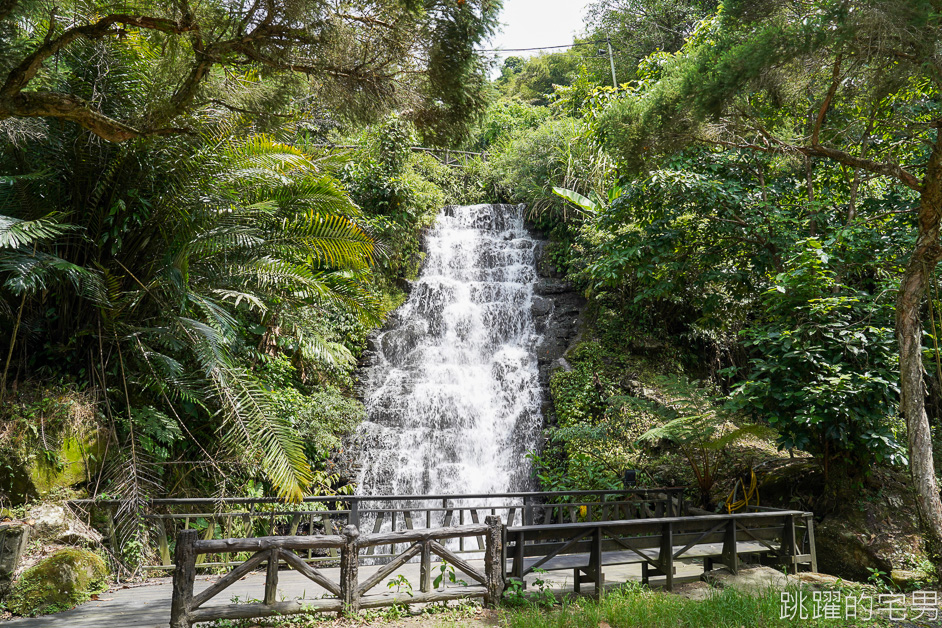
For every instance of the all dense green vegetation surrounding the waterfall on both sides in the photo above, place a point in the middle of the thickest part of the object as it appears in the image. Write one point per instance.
(753, 215)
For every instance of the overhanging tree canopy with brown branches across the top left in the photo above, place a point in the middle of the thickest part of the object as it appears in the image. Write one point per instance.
(354, 59)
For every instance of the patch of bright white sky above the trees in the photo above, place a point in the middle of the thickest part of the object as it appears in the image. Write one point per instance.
(532, 23)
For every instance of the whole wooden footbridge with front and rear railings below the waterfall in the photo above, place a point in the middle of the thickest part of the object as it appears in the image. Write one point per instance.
(515, 533)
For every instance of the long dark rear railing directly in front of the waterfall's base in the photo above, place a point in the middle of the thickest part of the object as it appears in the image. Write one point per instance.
(327, 515)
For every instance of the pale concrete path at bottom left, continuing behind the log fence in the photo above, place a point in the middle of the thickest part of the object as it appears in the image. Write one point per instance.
(148, 605)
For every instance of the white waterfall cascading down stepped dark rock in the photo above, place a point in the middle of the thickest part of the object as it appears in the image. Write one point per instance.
(453, 397)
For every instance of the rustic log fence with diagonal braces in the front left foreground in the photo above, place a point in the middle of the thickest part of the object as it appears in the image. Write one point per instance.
(349, 594)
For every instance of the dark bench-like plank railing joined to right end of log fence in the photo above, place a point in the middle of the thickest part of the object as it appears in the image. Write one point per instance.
(657, 543)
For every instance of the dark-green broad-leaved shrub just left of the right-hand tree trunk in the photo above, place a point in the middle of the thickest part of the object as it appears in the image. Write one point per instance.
(826, 375)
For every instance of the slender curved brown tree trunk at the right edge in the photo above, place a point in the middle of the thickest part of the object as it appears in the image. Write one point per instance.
(926, 255)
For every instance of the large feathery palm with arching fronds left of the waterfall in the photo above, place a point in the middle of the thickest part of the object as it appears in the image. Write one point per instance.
(181, 265)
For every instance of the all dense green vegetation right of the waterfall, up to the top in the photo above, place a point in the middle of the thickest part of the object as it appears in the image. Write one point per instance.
(755, 209)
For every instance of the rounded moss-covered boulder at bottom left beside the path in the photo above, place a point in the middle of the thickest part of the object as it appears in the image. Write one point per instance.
(62, 581)
